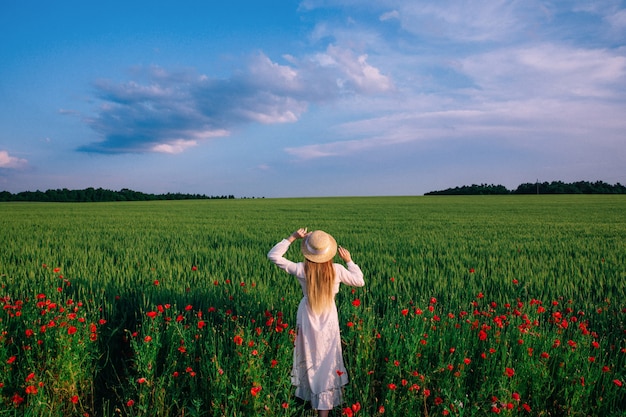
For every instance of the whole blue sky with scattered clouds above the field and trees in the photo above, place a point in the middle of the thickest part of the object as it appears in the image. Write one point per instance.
(310, 98)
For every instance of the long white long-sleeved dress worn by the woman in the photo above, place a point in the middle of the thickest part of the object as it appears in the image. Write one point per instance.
(318, 371)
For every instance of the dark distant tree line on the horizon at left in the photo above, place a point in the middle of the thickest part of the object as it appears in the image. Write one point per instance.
(99, 195)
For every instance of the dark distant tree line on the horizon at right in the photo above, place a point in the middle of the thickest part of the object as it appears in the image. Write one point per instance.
(554, 187)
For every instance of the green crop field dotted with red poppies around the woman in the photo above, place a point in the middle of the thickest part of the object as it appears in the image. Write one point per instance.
(473, 306)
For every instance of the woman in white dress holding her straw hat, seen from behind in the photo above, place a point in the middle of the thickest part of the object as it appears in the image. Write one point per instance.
(318, 370)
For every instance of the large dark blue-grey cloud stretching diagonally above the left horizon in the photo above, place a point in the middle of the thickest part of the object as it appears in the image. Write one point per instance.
(164, 111)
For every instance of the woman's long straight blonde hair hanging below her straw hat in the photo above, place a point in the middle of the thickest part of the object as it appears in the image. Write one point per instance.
(320, 280)
